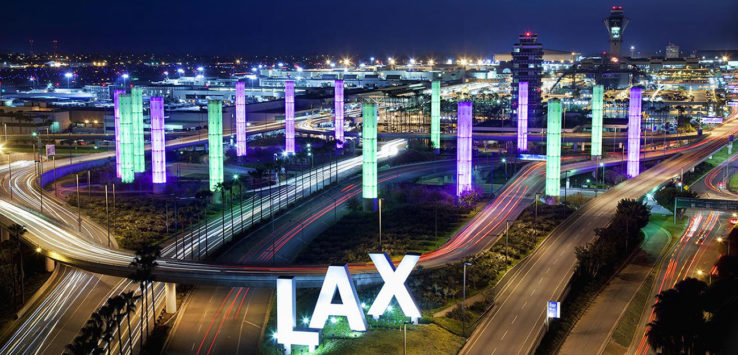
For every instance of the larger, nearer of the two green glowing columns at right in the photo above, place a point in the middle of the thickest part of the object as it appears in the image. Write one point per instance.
(553, 149)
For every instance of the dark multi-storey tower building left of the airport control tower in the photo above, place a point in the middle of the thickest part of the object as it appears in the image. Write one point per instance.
(527, 58)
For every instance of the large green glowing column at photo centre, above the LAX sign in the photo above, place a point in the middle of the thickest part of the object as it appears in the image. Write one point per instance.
(369, 151)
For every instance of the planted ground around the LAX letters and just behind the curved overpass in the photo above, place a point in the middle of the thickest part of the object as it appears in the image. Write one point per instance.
(436, 291)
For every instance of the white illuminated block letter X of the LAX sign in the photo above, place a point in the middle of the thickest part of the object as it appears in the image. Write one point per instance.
(394, 285)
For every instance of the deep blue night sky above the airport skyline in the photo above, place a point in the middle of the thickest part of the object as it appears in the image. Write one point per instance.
(349, 27)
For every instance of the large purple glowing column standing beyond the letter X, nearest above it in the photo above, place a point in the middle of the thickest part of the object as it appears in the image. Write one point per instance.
(463, 147)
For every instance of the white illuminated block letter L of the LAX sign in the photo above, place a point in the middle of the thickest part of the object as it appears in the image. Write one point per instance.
(286, 318)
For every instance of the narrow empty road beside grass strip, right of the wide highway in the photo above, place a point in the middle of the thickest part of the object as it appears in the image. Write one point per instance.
(593, 330)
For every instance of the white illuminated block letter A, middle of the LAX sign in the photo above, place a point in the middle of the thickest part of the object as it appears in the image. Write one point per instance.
(338, 277)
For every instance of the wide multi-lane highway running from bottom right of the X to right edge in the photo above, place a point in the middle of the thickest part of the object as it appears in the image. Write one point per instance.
(518, 319)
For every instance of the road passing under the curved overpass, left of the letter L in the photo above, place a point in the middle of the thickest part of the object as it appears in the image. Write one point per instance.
(230, 320)
